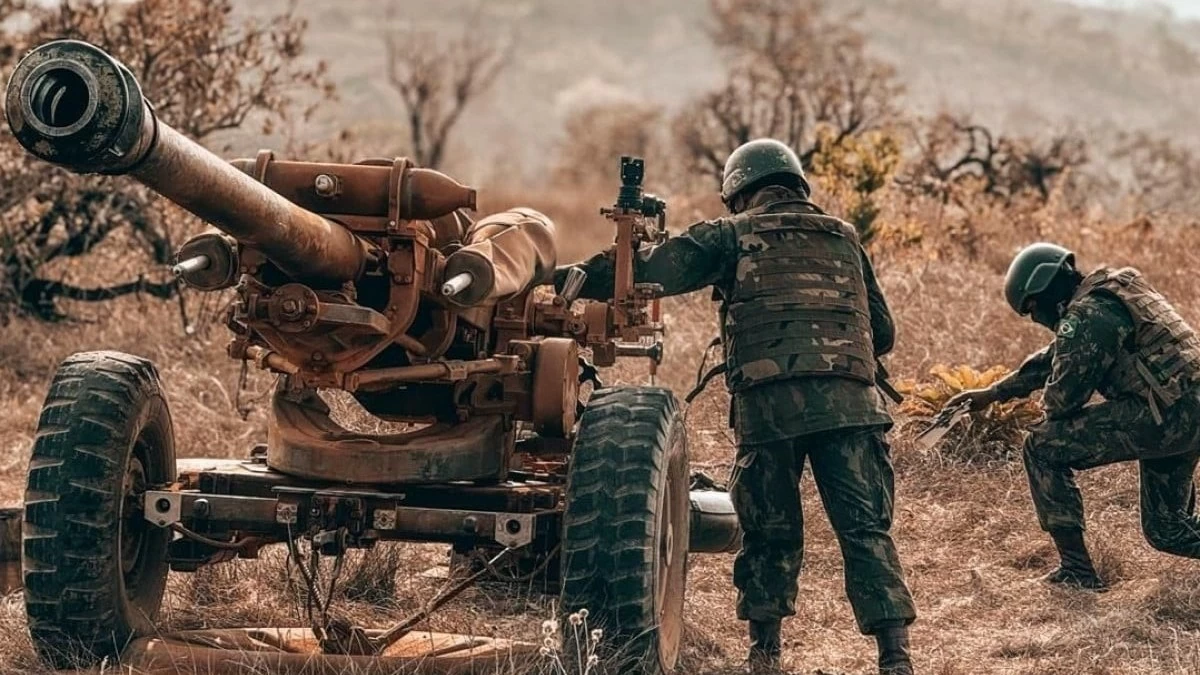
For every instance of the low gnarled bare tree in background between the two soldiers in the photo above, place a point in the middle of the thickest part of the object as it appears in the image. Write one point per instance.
(957, 158)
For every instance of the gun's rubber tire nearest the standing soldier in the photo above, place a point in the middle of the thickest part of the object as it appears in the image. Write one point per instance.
(631, 457)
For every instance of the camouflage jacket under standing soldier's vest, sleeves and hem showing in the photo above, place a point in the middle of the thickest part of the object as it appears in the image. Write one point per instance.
(706, 256)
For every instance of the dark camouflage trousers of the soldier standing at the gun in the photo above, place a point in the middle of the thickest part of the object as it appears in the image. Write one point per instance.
(853, 469)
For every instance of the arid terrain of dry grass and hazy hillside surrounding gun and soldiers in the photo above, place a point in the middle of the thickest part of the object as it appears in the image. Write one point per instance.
(964, 522)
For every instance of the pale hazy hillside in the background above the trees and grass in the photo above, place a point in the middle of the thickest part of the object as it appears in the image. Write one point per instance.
(1025, 65)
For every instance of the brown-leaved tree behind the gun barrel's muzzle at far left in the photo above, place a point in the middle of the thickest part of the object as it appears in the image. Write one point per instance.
(205, 73)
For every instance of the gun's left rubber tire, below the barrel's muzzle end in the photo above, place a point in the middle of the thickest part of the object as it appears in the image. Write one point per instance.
(103, 410)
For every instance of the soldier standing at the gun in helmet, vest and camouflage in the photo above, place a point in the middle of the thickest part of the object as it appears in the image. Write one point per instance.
(802, 321)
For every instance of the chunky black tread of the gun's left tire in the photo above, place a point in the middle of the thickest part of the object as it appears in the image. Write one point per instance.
(71, 507)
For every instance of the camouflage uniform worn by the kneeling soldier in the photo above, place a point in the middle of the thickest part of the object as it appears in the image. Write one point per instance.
(1161, 429)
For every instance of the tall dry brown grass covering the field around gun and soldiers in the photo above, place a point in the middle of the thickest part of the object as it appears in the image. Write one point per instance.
(967, 530)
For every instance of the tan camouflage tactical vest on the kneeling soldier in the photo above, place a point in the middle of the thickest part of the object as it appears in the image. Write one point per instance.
(1163, 362)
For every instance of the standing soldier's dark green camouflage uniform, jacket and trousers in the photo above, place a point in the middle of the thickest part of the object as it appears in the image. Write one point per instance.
(835, 420)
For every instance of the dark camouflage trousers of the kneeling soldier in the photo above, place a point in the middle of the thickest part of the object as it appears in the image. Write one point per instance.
(1113, 432)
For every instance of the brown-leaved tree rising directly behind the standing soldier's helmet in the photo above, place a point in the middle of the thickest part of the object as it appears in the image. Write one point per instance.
(795, 70)
